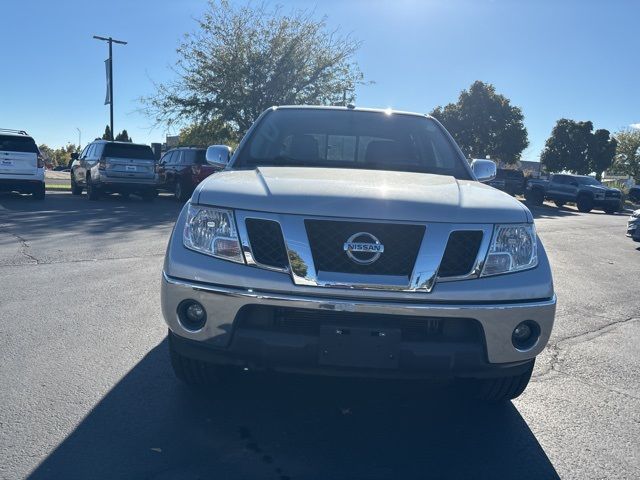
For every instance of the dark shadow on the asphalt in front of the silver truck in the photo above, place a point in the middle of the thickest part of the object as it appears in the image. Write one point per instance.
(288, 427)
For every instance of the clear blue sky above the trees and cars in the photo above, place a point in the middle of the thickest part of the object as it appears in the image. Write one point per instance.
(574, 58)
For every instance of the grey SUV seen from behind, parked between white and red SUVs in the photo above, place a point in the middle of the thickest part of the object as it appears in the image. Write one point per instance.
(107, 167)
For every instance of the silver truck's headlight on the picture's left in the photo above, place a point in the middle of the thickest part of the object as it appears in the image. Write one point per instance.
(212, 231)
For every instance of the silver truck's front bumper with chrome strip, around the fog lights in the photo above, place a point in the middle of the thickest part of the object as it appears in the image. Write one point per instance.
(223, 338)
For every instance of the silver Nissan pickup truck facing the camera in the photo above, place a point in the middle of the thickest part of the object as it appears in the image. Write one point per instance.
(356, 242)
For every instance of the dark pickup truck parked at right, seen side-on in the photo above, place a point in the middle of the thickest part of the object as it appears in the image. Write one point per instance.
(586, 192)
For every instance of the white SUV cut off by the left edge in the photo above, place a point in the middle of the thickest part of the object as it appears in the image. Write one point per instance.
(21, 164)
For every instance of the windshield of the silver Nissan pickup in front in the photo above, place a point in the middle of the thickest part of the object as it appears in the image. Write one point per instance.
(351, 139)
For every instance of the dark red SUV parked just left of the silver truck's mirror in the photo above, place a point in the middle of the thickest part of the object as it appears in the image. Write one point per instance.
(180, 170)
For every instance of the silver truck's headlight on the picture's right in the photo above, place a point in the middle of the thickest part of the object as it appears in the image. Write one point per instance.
(513, 248)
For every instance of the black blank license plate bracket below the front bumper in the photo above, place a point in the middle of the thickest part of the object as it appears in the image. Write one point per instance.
(359, 347)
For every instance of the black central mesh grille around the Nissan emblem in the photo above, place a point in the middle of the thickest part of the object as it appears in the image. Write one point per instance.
(401, 244)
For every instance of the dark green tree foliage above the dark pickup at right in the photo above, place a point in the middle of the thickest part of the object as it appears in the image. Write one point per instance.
(574, 147)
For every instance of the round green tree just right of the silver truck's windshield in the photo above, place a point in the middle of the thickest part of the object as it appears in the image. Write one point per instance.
(484, 122)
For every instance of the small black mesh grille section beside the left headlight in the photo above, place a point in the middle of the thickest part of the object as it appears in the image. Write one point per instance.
(267, 243)
